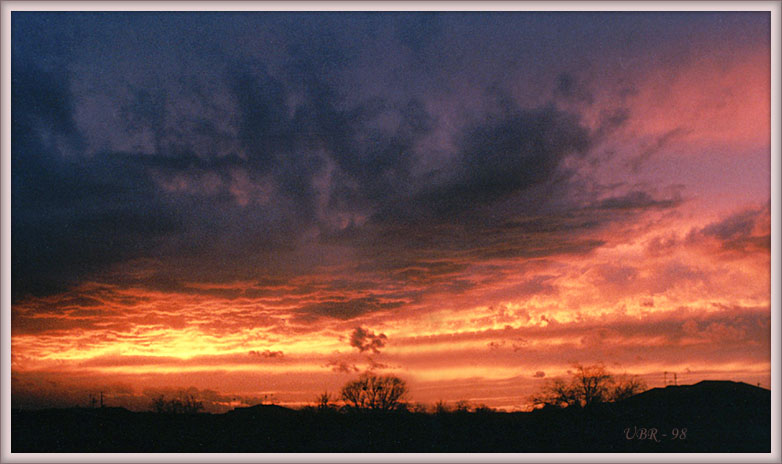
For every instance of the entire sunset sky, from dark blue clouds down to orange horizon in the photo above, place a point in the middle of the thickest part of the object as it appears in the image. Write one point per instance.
(258, 207)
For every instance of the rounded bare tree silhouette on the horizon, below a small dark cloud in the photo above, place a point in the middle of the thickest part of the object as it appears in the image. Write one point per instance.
(371, 392)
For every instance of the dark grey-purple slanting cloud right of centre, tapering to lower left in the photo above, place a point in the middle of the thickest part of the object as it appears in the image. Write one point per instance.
(509, 152)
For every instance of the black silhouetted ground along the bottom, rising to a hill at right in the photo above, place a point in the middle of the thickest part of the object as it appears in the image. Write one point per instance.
(710, 416)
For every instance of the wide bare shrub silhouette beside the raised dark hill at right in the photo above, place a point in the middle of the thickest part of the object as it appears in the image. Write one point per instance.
(588, 385)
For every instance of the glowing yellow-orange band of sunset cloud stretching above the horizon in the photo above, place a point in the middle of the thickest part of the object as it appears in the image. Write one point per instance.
(711, 302)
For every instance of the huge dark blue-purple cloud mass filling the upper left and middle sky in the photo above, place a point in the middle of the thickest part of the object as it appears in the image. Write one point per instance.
(265, 136)
